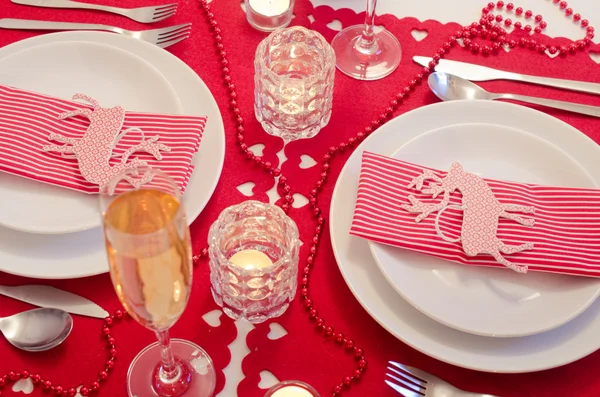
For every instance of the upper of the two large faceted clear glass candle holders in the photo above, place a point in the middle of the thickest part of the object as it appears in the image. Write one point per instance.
(293, 83)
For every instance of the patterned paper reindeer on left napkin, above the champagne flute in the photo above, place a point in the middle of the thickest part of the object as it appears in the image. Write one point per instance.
(93, 150)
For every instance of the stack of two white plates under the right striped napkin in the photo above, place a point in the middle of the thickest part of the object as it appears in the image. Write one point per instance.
(486, 319)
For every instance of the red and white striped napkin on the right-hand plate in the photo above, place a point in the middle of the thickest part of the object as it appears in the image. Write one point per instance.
(566, 234)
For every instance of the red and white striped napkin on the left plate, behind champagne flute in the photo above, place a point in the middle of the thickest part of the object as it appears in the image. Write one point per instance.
(27, 119)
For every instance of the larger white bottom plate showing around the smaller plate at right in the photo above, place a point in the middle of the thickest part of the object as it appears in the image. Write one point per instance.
(562, 345)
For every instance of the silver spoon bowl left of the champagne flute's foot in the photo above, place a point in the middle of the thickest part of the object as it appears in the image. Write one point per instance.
(37, 330)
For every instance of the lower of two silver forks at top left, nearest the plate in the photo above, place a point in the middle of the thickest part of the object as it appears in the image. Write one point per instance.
(163, 37)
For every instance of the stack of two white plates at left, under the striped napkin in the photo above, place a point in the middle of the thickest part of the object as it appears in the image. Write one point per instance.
(51, 232)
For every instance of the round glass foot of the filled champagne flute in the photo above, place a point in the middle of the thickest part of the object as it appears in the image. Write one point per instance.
(199, 371)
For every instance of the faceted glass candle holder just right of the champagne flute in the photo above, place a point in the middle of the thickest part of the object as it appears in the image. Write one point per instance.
(253, 249)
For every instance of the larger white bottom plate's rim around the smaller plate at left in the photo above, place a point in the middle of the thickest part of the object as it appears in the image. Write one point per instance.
(208, 168)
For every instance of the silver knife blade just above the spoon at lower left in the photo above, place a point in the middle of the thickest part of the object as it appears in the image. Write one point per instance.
(46, 296)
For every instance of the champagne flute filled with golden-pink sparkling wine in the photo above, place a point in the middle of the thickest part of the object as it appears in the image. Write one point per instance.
(149, 252)
